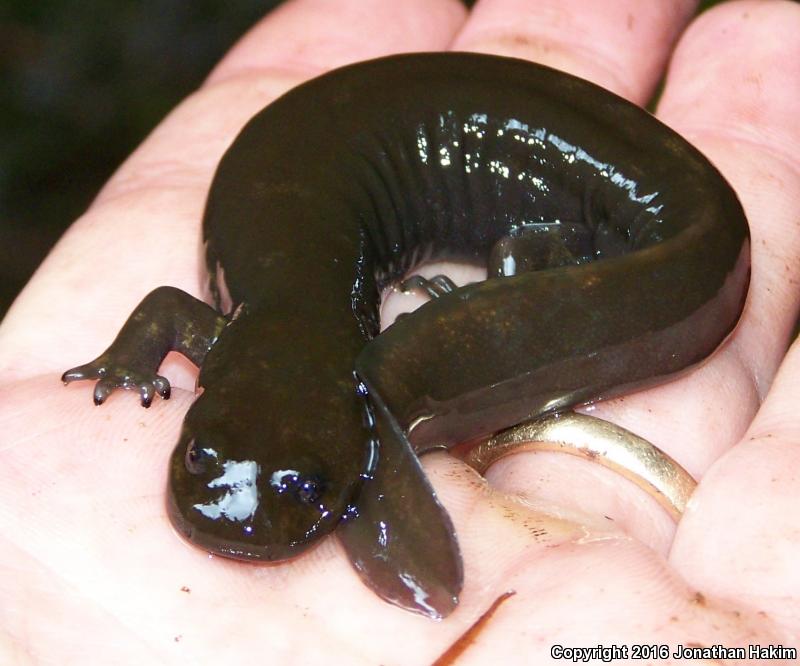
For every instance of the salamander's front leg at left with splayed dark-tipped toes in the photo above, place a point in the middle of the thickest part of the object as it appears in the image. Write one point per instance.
(168, 319)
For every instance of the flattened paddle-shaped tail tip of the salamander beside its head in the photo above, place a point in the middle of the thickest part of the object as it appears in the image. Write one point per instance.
(402, 543)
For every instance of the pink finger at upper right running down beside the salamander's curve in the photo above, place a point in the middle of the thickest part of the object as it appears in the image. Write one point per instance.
(740, 109)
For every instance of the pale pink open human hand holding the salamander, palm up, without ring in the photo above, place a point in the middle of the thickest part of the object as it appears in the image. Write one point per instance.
(90, 568)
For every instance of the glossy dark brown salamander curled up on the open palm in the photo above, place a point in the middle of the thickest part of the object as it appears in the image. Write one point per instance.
(617, 257)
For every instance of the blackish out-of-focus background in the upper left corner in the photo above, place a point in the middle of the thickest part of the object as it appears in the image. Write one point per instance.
(82, 82)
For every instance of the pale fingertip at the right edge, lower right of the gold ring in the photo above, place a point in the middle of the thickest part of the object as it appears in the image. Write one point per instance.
(741, 538)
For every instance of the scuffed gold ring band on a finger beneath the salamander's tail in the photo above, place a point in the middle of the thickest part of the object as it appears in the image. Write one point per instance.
(601, 442)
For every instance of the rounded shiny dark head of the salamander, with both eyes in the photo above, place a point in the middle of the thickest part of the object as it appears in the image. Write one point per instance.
(235, 494)
